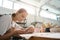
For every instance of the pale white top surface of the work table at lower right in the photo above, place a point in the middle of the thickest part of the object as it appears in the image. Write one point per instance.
(46, 35)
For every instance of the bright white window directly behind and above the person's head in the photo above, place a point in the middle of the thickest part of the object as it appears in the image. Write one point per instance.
(30, 9)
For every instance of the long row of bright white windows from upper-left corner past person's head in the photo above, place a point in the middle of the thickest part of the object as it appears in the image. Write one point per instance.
(17, 5)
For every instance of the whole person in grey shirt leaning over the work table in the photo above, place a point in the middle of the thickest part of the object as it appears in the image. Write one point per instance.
(7, 30)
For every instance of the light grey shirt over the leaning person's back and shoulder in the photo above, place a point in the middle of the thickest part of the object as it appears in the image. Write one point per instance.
(5, 22)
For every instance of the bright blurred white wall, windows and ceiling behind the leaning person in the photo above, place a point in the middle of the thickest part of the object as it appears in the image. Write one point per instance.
(40, 11)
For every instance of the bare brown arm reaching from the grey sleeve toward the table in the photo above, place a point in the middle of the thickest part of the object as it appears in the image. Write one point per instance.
(10, 33)
